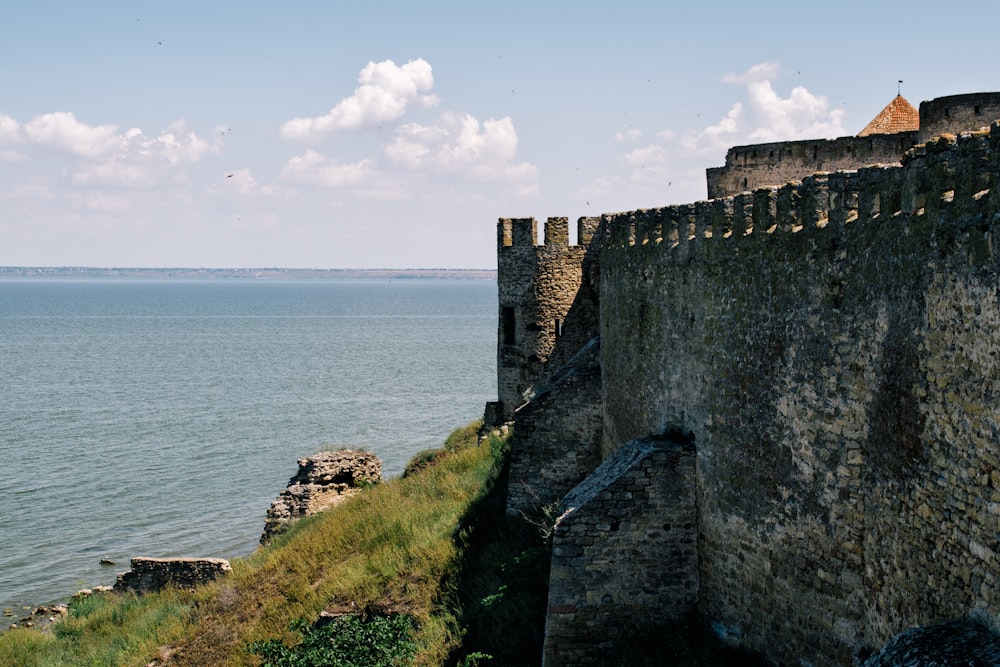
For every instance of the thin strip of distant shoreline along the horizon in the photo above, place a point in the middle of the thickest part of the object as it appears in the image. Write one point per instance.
(242, 274)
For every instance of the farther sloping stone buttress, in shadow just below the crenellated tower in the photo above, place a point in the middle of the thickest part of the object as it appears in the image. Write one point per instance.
(556, 441)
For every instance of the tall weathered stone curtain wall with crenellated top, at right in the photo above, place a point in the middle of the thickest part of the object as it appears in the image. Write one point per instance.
(834, 347)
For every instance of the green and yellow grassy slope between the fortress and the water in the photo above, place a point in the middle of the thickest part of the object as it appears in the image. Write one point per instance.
(406, 546)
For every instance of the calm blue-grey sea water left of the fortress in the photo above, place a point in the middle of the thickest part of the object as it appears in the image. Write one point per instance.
(162, 417)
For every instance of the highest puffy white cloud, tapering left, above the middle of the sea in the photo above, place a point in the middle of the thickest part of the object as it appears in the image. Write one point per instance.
(384, 93)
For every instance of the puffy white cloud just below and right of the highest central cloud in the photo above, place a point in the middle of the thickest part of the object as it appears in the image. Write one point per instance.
(460, 144)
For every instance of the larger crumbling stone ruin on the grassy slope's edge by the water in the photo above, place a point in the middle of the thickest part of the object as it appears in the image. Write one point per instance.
(323, 480)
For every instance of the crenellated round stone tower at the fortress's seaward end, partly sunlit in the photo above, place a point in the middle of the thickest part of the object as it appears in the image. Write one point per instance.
(537, 285)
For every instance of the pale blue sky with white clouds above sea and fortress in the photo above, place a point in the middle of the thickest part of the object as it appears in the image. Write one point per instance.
(384, 134)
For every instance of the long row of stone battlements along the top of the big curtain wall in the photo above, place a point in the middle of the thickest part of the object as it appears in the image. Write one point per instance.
(932, 177)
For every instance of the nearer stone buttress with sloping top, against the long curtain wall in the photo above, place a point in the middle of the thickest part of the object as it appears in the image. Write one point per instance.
(624, 554)
